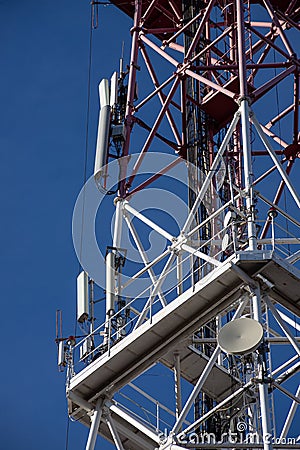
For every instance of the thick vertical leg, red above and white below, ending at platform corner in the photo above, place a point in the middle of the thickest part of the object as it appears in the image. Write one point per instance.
(244, 109)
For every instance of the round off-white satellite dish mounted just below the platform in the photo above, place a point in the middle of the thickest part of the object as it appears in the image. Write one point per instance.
(241, 336)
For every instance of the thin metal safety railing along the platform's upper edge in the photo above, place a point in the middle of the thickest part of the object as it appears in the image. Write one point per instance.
(283, 238)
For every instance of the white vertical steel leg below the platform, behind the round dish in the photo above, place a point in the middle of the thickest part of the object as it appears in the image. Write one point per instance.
(262, 387)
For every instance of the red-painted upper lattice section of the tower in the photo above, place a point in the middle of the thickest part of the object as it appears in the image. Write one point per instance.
(226, 69)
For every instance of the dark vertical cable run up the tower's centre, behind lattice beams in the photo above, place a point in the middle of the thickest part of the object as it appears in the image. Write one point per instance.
(199, 156)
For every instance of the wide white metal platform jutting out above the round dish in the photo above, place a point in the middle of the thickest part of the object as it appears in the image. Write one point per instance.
(179, 319)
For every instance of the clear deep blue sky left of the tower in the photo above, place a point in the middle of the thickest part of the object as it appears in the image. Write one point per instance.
(44, 77)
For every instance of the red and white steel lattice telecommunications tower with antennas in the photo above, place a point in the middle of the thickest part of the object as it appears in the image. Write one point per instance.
(198, 344)
